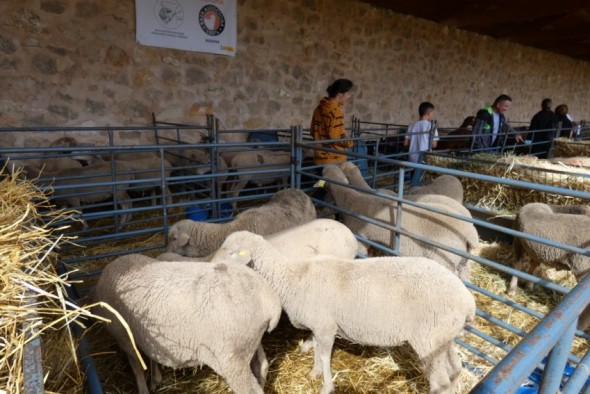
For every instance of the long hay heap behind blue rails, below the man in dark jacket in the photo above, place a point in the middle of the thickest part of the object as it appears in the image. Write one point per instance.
(506, 199)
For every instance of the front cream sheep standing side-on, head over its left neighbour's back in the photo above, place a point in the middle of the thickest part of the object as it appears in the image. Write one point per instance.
(383, 301)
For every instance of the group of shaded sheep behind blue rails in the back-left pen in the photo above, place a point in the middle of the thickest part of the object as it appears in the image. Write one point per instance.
(83, 178)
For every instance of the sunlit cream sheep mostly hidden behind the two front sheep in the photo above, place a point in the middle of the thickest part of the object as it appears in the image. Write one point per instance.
(316, 237)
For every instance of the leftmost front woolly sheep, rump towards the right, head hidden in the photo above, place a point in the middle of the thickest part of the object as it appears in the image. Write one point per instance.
(190, 315)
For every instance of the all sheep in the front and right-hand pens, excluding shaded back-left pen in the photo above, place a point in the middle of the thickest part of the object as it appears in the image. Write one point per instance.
(220, 286)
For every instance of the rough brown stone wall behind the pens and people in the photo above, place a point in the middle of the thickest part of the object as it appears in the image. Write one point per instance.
(71, 63)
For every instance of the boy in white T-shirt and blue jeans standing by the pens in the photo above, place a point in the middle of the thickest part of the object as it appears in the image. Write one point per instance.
(418, 135)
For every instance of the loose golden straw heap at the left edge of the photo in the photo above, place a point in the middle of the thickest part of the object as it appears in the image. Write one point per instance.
(29, 236)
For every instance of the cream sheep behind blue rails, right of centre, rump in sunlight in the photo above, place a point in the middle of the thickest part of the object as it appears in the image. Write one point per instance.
(436, 227)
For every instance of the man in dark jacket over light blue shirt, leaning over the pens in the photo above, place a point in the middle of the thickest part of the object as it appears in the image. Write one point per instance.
(491, 128)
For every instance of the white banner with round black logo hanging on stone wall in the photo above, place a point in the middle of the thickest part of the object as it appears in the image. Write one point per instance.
(192, 25)
